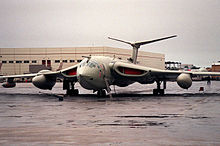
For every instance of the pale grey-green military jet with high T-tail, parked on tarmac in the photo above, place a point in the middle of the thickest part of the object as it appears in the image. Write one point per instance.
(98, 73)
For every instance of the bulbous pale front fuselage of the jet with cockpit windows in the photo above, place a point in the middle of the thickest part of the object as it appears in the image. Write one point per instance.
(93, 71)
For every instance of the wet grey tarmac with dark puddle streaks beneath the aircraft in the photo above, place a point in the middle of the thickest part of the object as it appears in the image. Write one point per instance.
(29, 116)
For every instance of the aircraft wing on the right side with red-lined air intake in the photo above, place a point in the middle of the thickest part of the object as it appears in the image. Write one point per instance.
(143, 74)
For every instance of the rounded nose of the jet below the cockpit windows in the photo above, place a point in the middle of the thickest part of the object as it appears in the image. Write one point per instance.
(89, 78)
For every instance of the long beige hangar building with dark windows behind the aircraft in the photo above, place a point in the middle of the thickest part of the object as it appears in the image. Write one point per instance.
(32, 60)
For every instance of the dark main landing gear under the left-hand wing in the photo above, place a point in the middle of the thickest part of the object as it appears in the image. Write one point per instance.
(69, 87)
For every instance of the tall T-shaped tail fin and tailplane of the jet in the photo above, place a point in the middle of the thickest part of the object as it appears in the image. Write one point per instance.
(136, 45)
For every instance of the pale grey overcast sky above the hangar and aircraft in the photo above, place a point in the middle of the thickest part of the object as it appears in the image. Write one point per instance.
(71, 23)
